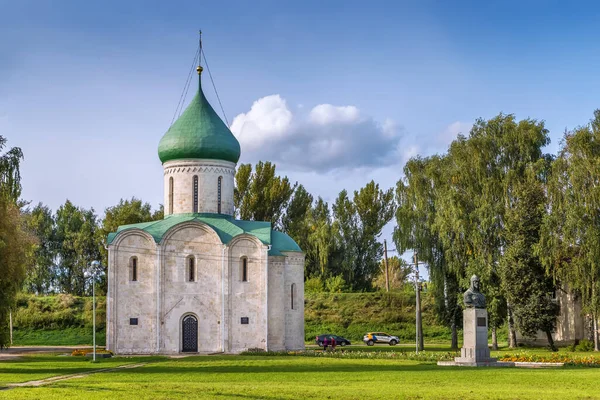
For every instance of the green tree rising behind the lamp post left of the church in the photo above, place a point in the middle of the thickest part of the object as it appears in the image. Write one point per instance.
(77, 245)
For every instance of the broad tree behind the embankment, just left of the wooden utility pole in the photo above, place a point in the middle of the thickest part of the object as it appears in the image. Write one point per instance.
(358, 224)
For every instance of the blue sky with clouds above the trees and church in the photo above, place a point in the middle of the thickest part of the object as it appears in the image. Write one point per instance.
(88, 88)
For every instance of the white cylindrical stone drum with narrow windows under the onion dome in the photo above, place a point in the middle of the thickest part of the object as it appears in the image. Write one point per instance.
(208, 172)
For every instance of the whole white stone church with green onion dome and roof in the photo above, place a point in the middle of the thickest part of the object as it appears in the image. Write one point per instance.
(199, 280)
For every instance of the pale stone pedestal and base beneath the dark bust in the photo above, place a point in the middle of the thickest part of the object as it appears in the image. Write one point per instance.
(475, 351)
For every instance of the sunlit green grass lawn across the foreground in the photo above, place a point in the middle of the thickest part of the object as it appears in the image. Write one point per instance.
(257, 377)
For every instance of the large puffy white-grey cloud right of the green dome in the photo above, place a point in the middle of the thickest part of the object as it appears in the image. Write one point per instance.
(326, 138)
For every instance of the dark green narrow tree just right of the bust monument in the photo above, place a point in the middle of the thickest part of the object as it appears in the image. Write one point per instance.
(525, 283)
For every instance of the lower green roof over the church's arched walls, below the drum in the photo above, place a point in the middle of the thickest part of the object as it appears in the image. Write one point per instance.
(224, 225)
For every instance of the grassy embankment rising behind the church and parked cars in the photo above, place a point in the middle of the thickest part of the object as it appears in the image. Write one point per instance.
(67, 320)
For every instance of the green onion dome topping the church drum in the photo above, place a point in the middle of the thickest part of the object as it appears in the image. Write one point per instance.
(199, 133)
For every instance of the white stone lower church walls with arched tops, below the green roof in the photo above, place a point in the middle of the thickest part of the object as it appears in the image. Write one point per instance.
(218, 297)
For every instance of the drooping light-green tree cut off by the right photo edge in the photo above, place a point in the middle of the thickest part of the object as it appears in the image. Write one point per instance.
(570, 241)
